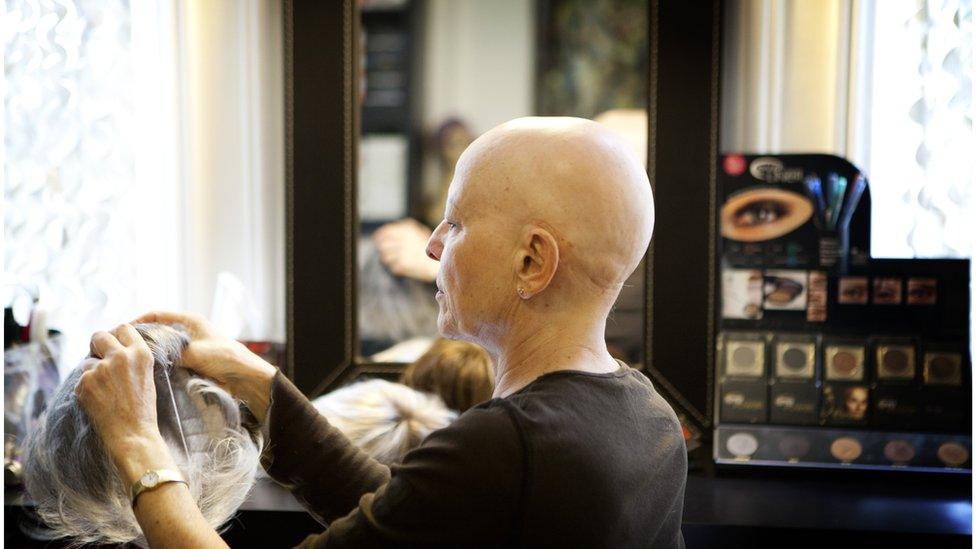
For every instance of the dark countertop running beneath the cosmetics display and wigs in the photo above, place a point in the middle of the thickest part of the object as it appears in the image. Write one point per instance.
(731, 510)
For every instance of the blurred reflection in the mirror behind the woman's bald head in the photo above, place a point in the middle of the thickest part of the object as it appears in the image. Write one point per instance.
(438, 74)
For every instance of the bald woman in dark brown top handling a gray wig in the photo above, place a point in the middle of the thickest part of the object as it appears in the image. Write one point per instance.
(545, 220)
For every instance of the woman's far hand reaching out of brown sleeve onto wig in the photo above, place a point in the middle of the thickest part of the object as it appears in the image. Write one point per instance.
(228, 362)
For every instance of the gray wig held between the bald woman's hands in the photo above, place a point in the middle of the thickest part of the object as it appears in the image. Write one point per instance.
(76, 486)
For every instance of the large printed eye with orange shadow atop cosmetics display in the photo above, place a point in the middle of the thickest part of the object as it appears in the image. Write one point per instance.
(761, 213)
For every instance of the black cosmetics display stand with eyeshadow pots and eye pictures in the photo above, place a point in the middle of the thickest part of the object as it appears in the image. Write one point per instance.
(825, 356)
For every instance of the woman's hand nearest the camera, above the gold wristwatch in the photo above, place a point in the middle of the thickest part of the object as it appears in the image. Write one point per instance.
(118, 394)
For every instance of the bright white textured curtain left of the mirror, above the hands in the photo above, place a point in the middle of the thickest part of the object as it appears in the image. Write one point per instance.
(143, 154)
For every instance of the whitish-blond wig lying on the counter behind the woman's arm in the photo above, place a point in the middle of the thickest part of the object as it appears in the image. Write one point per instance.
(385, 419)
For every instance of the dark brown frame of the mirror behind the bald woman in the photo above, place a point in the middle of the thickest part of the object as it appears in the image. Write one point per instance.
(321, 83)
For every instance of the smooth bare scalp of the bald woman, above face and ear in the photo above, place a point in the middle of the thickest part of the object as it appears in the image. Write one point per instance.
(572, 177)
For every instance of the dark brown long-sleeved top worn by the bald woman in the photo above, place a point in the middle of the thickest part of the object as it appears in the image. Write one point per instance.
(578, 459)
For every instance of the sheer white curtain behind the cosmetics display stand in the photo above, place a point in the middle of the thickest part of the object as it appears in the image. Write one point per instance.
(887, 84)
